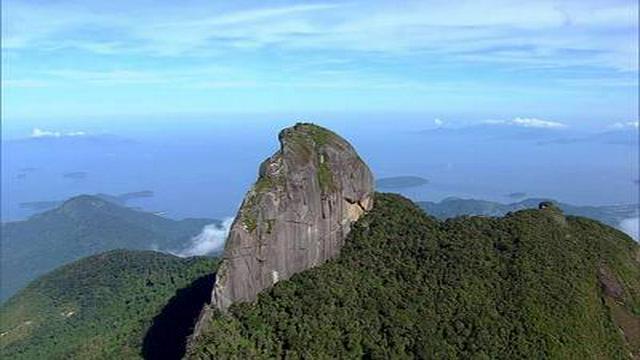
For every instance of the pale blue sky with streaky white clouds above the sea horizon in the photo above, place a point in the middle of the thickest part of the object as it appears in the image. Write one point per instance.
(572, 62)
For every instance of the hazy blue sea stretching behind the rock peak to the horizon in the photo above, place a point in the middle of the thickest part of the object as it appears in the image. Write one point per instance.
(203, 168)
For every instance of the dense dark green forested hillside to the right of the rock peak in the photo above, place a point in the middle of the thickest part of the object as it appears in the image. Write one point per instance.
(533, 284)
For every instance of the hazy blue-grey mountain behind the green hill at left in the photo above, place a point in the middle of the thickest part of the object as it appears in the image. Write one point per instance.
(83, 226)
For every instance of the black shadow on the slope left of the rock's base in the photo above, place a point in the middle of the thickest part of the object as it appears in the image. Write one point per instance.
(167, 336)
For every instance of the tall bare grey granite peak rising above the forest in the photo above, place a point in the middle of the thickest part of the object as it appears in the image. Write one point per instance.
(297, 214)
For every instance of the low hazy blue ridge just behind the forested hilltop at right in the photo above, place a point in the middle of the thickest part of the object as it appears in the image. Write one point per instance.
(452, 207)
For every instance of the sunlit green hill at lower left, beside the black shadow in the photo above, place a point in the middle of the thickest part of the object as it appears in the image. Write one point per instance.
(99, 307)
